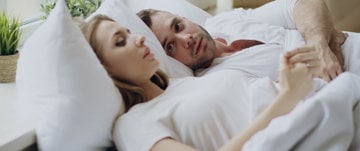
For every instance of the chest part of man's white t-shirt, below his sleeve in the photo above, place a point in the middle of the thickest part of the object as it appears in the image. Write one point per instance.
(257, 61)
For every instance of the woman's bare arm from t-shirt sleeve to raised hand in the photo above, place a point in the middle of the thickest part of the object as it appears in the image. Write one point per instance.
(296, 83)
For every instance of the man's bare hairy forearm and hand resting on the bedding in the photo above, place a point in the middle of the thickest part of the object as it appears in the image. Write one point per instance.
(313, 20)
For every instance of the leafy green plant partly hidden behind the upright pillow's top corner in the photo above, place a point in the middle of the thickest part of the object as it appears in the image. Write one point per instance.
(78, 8)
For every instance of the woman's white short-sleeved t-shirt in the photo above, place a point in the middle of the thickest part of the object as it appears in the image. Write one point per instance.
(203, 112)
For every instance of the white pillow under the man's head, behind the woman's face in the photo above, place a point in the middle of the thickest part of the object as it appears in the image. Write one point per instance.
(117, 10)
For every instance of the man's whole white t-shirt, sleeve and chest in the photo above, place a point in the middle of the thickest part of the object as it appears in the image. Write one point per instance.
(271, 24)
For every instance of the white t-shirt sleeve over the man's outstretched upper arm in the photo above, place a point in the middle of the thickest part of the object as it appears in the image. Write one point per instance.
(268, 23)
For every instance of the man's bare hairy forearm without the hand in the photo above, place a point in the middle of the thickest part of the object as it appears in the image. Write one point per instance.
(313, 20)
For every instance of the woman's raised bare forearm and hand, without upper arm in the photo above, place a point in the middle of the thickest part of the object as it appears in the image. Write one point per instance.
(296, 83)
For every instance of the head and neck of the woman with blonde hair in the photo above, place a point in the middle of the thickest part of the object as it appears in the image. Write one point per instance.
(127, 60)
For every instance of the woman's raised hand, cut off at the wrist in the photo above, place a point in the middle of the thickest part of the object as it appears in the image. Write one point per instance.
(295, 79)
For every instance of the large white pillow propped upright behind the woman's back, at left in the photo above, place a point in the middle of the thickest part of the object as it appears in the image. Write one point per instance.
(62, 85)
